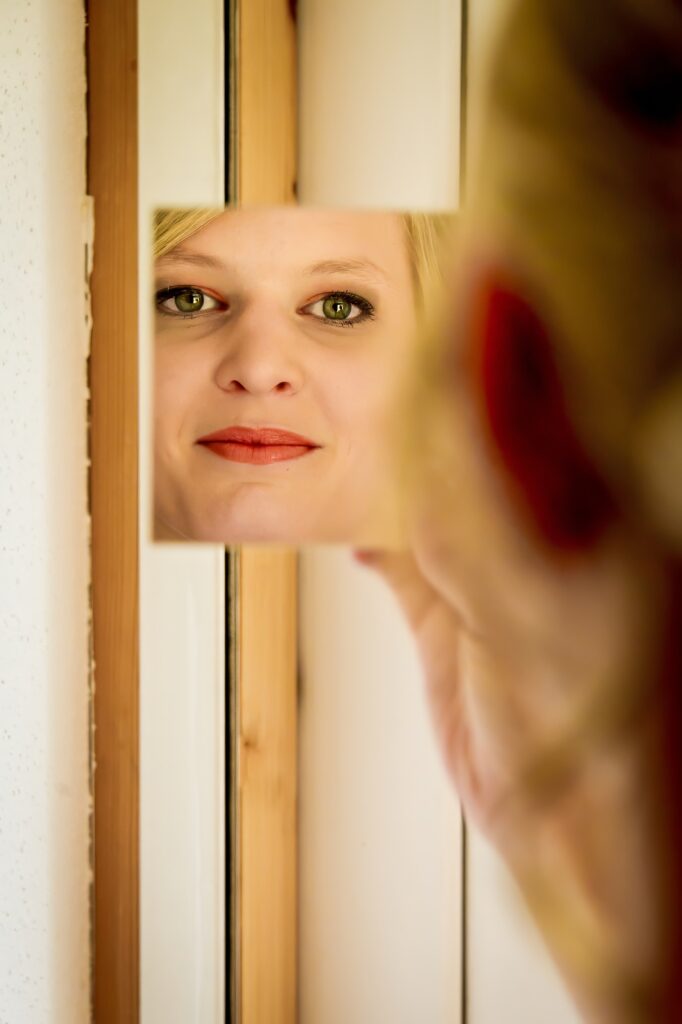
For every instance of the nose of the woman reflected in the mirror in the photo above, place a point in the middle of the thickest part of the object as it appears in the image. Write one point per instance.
(262, 355)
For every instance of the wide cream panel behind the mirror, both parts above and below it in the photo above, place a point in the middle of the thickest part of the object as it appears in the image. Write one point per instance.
(379, 836)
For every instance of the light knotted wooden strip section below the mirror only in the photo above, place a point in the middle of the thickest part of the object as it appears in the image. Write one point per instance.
(268, 785)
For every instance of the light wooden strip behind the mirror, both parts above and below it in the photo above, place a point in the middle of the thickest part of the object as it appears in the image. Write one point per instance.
(266, 87)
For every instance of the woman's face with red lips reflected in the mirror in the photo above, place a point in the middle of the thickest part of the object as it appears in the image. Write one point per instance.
(283, 345)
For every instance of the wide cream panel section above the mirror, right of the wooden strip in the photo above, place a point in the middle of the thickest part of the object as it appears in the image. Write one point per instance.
(379, 115)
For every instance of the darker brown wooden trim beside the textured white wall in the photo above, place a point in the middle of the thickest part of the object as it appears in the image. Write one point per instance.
(113, 183)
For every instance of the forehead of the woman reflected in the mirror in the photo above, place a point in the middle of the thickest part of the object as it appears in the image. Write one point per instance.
(302, 241)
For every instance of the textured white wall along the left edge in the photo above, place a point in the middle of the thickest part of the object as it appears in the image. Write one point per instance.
(45, 873)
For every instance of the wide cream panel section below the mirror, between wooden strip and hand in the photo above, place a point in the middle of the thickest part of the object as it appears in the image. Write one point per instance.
(380, 828)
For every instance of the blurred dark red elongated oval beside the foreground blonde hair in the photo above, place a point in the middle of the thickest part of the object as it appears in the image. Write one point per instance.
(550, 475)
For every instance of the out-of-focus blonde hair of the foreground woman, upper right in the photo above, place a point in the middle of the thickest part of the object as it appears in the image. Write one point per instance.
(581, 179)
